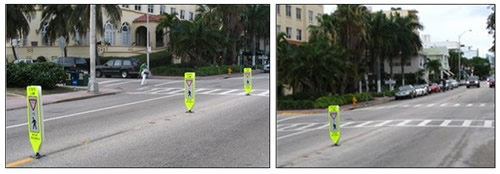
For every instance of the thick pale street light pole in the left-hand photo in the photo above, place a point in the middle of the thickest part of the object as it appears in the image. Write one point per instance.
(93, 86)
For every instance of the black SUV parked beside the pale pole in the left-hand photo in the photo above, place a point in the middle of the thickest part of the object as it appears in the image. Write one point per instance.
(122, 67)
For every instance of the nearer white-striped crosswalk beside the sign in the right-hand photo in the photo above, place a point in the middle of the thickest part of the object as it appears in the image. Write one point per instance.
(391, 123)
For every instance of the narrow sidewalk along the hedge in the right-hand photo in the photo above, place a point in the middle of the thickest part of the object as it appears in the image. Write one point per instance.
(375, 101)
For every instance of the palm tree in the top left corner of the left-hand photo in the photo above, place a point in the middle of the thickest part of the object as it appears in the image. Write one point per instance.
(18, 18)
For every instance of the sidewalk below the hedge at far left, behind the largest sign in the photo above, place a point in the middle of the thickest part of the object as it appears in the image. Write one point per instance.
(16, 101)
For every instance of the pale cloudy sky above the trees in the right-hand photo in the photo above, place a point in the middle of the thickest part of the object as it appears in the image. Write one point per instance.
(447, 22)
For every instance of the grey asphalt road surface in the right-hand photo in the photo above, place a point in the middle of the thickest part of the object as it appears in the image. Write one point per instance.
(450, 129)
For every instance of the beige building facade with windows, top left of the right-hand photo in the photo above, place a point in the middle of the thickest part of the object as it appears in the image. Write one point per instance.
(294, 20)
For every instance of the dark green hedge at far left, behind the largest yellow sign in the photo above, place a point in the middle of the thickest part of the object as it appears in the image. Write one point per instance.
(45, 74)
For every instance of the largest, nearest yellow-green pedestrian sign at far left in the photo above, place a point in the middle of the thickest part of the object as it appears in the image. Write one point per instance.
(35, 118)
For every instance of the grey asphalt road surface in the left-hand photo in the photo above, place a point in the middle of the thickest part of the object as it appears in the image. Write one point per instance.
(147, 126)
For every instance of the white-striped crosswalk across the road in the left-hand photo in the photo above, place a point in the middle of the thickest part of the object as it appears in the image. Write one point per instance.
(202, 91)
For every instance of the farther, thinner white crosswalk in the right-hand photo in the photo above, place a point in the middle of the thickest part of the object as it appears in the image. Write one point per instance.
(430, 105)
